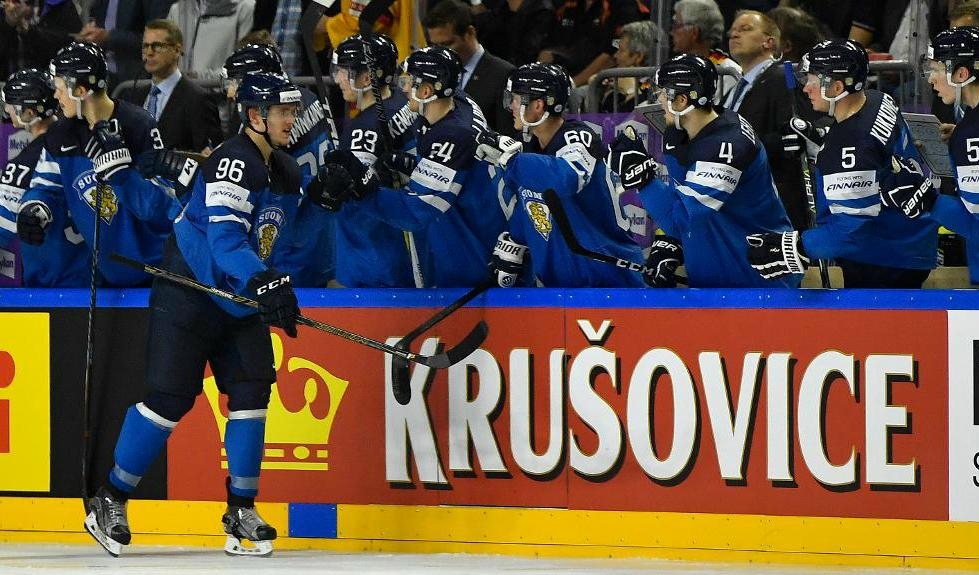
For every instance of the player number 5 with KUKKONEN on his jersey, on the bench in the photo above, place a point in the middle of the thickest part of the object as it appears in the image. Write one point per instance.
(874, 244)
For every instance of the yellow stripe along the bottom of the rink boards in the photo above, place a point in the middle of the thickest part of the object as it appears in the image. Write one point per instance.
(538, 532)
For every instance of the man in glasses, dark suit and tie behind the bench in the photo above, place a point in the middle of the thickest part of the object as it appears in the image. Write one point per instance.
(188, 119)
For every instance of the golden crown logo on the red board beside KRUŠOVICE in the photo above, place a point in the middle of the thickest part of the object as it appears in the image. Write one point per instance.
(303, 406)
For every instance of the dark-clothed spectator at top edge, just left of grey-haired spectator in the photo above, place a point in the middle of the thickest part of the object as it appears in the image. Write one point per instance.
(581, 42)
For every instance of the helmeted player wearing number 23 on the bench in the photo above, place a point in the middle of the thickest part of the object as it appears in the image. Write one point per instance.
(370, 252)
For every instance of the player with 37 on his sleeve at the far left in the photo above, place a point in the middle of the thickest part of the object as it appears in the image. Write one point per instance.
(59, 258)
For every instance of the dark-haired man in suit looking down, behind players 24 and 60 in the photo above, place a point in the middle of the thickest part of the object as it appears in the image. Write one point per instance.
(449, 24)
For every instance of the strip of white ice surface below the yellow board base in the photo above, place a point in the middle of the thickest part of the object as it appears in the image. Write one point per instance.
(145, 560)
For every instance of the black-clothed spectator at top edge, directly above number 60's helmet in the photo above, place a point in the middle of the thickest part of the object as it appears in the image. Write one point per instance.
(516, 29)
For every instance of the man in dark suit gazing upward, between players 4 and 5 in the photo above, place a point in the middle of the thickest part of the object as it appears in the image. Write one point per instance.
(762, 98)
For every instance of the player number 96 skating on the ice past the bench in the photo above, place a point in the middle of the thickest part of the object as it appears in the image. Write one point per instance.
(243, 196)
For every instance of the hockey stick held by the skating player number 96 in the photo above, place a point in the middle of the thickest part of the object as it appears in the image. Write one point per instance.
(438, 361)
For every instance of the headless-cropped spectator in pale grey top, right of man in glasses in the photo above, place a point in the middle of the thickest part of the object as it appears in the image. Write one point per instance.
(211, 30)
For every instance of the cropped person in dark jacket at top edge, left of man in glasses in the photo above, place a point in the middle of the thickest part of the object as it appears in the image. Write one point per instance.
(118, 29)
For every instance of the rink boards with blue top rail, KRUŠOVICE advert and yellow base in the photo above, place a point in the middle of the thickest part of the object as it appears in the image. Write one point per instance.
(776, 426)
